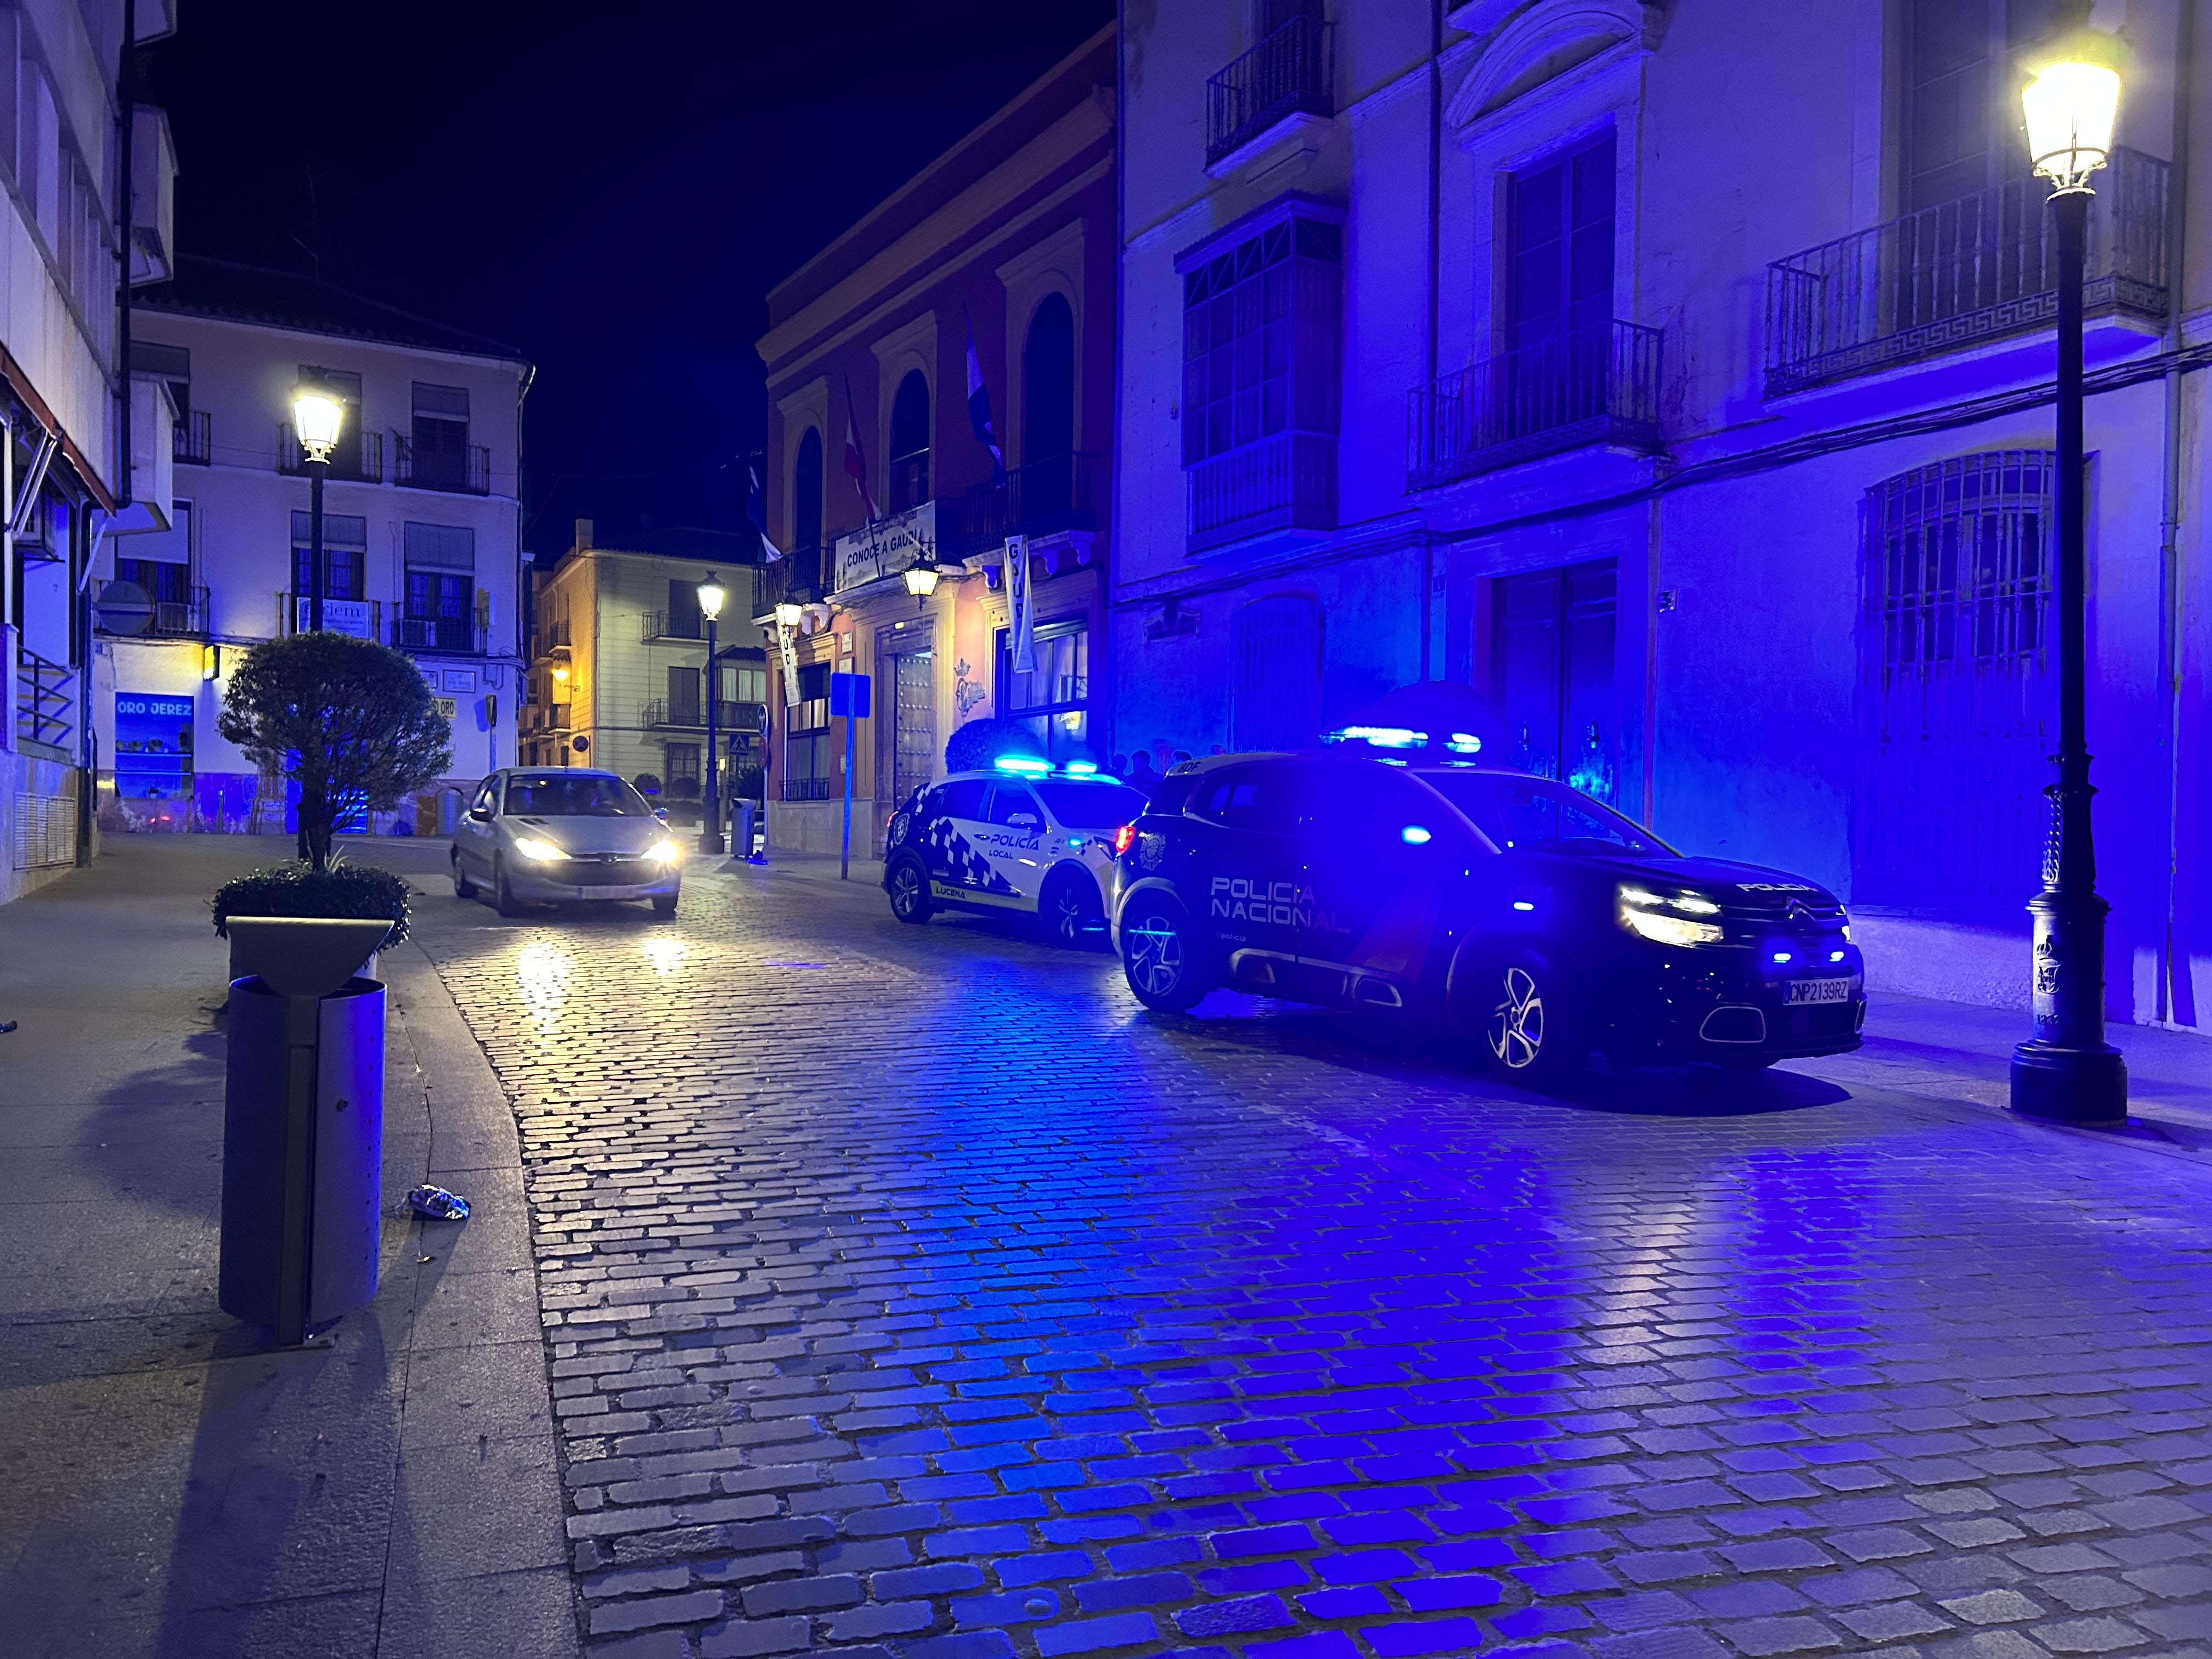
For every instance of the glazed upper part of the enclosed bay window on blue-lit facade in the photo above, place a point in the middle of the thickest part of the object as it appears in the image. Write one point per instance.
(1260, 340)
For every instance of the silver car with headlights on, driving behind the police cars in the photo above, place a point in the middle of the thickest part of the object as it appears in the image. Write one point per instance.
(565, 835)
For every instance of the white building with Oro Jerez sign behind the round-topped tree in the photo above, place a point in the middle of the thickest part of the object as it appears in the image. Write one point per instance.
(421, 539)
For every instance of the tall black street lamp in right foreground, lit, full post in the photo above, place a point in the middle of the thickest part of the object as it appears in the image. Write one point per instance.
(2067, 1070)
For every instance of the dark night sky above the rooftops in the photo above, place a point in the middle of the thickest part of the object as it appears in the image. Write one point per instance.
(614, 189)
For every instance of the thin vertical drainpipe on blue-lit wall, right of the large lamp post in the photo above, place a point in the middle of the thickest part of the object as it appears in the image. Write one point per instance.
(2176, 999)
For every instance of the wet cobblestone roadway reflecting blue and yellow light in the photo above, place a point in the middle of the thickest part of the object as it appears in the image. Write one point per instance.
(915, 1293)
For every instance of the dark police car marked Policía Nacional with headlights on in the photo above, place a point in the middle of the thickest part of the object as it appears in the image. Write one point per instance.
(1505, 904)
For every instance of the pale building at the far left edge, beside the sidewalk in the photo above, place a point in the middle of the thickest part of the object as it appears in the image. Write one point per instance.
(65, 244)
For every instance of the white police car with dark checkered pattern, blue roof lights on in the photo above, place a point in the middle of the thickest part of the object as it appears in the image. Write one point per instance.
(1025, 839)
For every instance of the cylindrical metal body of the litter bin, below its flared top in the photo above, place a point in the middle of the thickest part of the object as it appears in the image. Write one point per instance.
(304, 1142)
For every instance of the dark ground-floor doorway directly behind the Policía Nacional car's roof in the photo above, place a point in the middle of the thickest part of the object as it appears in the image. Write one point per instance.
(1552, 674)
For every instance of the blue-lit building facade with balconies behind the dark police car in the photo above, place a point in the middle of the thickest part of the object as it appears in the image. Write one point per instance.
(1680, 379)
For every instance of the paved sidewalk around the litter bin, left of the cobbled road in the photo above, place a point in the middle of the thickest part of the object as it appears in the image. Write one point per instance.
(171, 1492)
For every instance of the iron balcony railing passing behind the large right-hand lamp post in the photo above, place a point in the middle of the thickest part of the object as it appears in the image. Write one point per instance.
(1970, 271)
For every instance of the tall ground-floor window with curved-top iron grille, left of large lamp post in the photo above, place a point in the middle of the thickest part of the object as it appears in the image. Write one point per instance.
(1957, 696)
